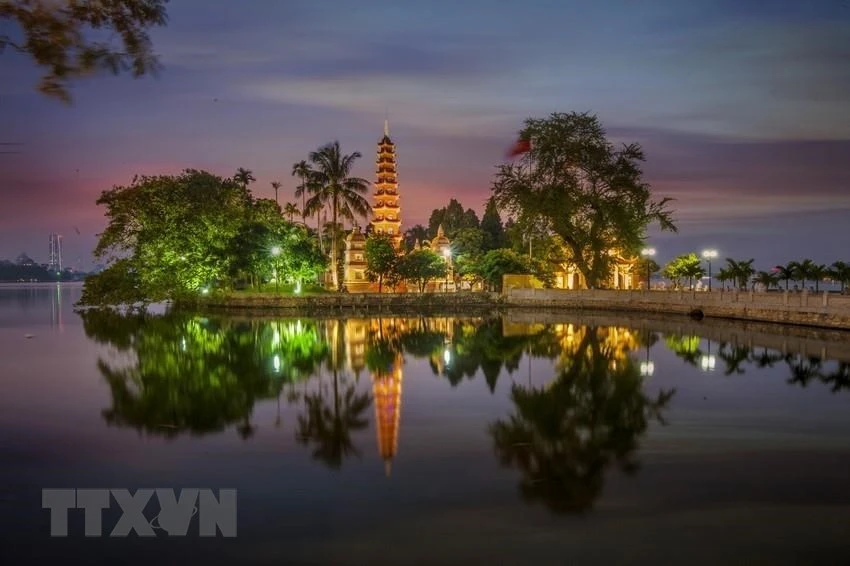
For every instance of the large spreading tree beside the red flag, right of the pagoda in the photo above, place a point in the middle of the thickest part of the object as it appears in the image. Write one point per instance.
(575, 184)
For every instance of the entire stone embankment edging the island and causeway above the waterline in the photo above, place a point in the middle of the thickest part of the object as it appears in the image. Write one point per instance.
(822, 310)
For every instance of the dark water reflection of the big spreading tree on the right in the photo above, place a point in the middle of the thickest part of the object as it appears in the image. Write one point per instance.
(564, 436)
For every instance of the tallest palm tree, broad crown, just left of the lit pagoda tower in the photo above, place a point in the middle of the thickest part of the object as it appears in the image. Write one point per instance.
(337, 189)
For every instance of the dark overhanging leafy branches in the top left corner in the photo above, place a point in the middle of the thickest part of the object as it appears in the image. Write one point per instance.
(57, 35)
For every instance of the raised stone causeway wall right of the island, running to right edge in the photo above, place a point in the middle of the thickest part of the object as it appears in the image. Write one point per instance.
(822, 310)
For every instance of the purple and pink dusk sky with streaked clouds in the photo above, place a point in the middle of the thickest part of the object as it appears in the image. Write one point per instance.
(742, 107)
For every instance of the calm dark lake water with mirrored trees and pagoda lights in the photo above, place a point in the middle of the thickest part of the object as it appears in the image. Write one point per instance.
(584, 440)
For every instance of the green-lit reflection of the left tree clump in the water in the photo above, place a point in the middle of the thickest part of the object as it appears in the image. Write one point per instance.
(183, 373)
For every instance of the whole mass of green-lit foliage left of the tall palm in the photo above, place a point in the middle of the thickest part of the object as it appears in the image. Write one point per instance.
(172, 236)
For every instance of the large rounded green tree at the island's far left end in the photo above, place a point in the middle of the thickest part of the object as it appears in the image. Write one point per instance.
(175, 232)
